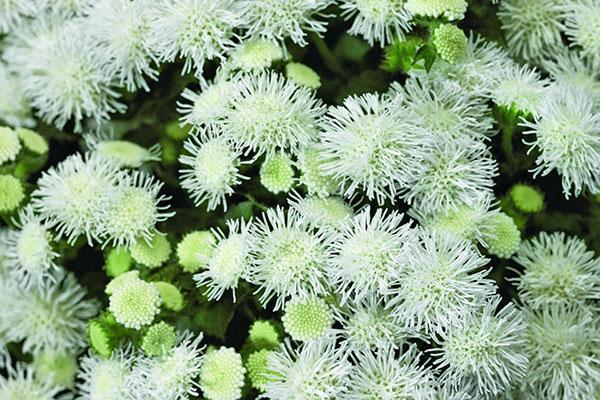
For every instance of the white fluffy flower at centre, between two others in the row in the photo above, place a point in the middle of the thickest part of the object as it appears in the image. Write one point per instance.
(365, 253)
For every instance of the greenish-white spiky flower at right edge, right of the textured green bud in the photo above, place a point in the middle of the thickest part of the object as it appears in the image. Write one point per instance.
(558, 269)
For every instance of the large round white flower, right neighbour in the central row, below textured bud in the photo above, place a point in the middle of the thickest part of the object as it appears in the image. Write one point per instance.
(440, 281)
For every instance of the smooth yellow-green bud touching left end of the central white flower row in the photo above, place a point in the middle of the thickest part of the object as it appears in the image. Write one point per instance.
(195, 250)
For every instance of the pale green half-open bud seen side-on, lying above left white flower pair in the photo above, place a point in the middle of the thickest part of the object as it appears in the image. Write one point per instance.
(127, 154)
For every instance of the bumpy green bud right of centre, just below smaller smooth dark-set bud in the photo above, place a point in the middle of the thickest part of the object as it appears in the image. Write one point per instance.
(502, 237)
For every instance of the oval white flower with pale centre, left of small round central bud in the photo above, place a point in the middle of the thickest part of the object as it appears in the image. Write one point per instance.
(211, 170)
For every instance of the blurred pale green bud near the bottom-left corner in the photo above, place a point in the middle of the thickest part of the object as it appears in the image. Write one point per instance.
(57, 367)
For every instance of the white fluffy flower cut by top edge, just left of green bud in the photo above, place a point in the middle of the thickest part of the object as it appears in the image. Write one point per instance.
(377, 20)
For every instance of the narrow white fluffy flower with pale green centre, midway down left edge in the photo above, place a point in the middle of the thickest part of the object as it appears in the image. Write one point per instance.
(29, 255)
